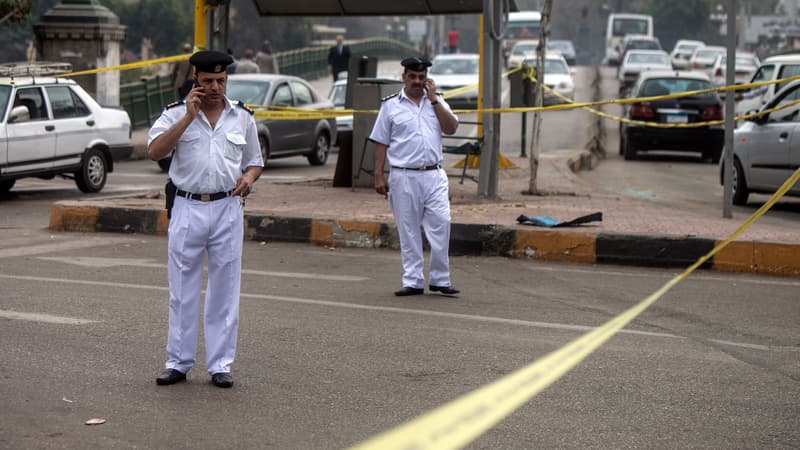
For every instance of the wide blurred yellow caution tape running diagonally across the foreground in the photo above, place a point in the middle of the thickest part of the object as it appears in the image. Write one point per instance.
(459, 422)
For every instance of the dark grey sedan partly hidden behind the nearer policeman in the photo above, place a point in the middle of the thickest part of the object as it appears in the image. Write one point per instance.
(311, 138)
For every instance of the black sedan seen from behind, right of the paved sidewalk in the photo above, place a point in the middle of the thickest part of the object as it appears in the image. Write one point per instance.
(708, 140)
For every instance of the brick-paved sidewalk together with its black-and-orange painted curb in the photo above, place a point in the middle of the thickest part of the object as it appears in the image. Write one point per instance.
(633, 231)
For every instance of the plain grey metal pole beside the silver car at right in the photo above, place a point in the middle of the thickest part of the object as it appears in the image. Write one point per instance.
(730, 107)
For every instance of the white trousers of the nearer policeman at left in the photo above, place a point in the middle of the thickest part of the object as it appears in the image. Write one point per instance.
(197, 228)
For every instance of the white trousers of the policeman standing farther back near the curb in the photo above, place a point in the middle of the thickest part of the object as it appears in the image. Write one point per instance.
(420, 197)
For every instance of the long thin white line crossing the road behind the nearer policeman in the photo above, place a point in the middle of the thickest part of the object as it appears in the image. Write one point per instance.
(420, 312)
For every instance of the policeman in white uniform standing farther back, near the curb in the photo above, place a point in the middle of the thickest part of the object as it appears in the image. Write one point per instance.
(408, 132)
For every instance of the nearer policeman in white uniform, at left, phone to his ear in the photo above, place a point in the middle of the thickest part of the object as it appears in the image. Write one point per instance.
(215, 162)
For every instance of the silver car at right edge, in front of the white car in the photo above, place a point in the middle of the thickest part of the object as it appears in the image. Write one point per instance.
(767, 149)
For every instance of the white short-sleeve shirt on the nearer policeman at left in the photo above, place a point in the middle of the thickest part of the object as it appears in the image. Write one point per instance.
(208, 160)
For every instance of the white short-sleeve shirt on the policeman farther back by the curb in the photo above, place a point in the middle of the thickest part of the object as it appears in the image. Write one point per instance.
(411, 132)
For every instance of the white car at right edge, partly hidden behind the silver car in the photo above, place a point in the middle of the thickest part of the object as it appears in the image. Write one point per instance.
(772, 68)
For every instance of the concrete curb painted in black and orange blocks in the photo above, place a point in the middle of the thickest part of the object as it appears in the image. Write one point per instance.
(540, 244)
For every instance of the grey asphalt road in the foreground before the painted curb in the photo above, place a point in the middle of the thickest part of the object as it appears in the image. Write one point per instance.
(328, 356)
